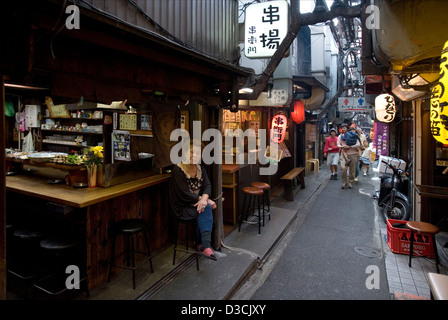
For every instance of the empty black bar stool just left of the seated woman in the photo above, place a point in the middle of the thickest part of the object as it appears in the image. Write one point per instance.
(130, 228)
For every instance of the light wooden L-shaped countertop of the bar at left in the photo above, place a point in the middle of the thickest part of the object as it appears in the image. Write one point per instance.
(77, 197)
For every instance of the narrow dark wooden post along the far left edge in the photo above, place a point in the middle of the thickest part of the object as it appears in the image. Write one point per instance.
(3, 195)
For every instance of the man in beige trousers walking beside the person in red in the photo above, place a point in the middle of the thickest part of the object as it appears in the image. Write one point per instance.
(352, 155)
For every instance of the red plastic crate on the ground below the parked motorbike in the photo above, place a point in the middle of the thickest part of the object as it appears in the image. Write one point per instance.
(398, 240)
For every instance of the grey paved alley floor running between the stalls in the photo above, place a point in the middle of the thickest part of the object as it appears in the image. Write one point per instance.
(342, 239)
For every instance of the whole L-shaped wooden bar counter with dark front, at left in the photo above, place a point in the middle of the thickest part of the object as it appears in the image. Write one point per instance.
(95, 209)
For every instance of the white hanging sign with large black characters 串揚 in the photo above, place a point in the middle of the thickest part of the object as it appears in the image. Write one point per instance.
(266, 27)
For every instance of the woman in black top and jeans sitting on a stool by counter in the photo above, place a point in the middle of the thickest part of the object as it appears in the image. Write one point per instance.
(189, 199)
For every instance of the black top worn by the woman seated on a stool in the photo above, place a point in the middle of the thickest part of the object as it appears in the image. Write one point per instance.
(181, 196)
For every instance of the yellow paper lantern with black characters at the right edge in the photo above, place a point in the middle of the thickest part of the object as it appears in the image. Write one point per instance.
(439, 102)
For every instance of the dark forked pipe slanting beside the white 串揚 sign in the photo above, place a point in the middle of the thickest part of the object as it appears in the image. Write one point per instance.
(297, 20)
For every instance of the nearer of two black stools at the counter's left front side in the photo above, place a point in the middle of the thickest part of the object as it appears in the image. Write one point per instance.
(62, 252)
